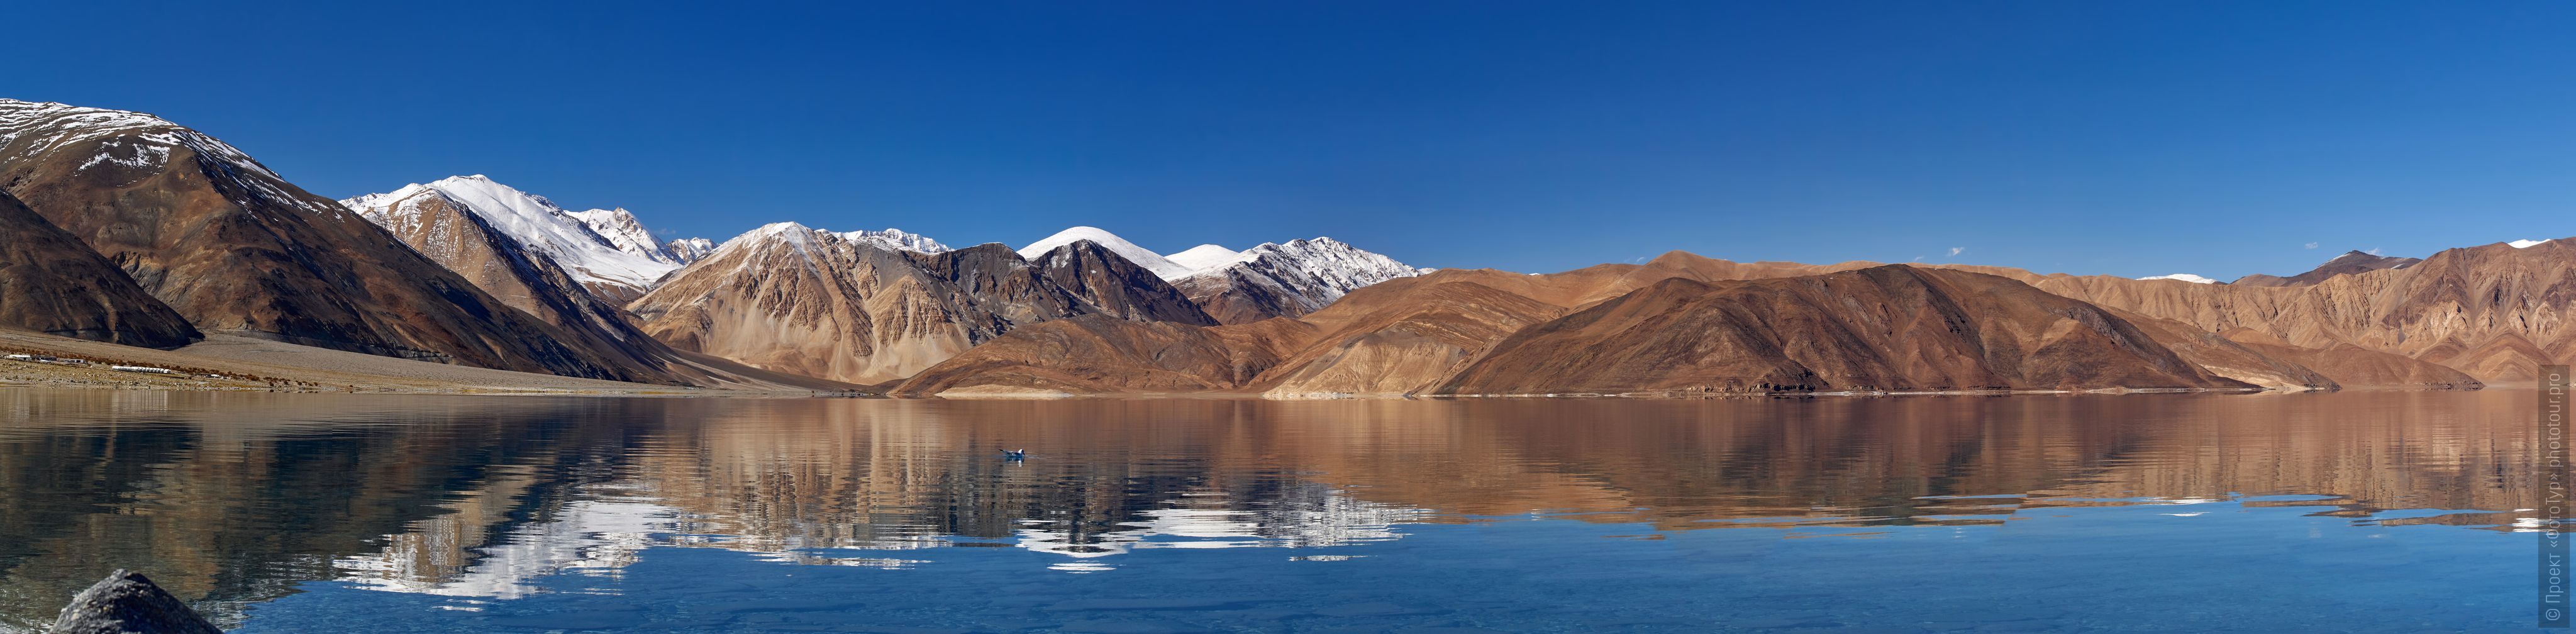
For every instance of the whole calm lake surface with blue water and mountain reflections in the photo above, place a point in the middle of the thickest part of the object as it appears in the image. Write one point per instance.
(2361, 512)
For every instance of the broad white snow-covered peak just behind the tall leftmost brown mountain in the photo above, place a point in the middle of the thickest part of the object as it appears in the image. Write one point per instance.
(532, 220)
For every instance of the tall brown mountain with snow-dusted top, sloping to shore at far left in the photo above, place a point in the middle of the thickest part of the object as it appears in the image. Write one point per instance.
(236, 249)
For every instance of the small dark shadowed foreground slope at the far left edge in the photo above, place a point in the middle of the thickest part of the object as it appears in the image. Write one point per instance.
(55, 285)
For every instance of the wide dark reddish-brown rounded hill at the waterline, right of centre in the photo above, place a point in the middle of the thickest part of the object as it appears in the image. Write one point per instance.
(1877, 329)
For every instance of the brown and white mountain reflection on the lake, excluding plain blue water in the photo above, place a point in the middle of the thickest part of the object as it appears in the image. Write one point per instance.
(238, 499)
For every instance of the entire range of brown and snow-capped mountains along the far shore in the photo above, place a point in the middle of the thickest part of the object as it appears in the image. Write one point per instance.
(146, 233)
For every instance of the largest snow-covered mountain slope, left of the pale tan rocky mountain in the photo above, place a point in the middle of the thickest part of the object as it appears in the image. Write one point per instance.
(599, 264)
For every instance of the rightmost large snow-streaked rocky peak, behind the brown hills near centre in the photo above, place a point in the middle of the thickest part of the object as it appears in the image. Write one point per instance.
(1282, 280)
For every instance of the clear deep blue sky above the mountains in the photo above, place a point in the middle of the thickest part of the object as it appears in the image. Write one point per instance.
(2088, 138)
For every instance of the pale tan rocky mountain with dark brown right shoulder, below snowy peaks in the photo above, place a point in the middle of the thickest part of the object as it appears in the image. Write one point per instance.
(810, 303)
